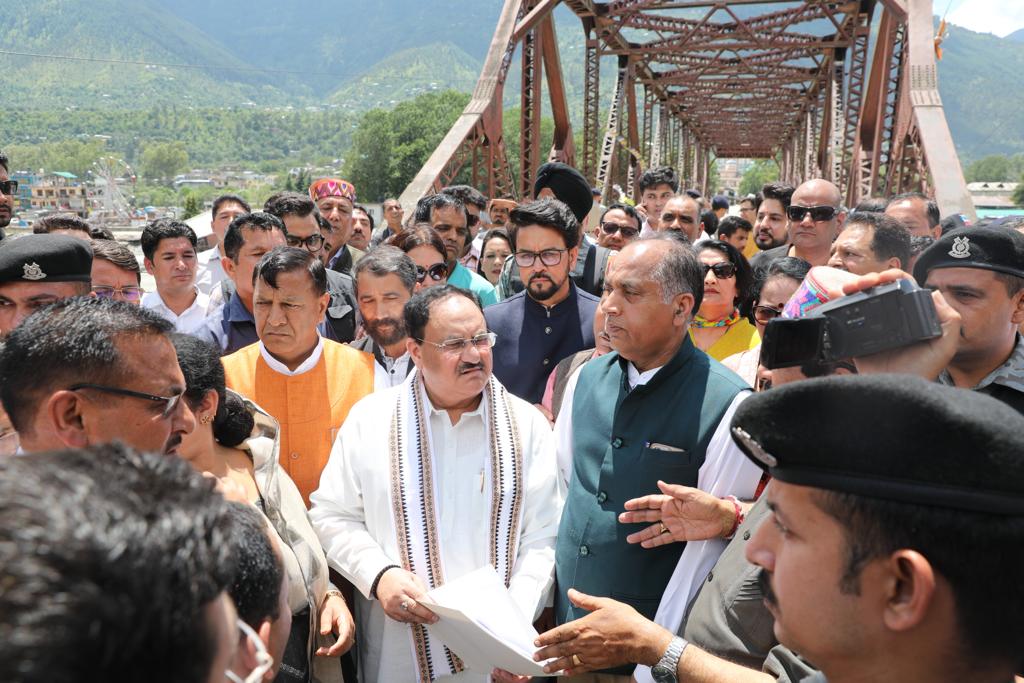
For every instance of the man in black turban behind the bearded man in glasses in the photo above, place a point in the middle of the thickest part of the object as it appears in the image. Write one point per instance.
(563, 183)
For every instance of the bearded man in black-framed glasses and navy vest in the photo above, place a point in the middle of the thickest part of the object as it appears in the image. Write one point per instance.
(551, 319)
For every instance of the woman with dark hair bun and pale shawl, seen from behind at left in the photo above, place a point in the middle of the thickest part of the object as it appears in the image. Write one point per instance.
(237, 442)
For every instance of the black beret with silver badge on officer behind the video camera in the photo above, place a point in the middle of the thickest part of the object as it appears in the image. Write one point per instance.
(988, 248)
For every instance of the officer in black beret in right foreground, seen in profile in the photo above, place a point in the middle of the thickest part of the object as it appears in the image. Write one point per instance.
(885, 559)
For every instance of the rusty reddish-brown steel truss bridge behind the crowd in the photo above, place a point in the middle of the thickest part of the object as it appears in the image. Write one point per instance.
(840, 91)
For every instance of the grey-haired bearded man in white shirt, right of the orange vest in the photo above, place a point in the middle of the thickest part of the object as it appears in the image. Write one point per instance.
(386, 279)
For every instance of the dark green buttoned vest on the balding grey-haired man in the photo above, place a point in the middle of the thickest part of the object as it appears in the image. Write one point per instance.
(617, 435)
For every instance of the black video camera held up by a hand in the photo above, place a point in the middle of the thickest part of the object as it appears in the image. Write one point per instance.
(878, 320)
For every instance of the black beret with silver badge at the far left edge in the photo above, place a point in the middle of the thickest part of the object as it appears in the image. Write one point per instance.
(52, 259)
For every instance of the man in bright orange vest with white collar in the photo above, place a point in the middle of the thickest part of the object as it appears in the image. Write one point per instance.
(307, 382)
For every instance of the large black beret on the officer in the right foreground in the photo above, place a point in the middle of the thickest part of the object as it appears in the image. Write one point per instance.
(889, 437)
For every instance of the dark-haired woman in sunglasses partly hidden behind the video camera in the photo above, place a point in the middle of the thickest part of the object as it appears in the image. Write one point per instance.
(774, 288)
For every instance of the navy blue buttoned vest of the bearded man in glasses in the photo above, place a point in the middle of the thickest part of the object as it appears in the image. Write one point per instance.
(533, 338)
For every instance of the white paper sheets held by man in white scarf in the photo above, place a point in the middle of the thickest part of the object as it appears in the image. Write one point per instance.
(482, 624)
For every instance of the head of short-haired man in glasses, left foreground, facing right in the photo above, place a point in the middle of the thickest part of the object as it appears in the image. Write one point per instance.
(87, 371)
